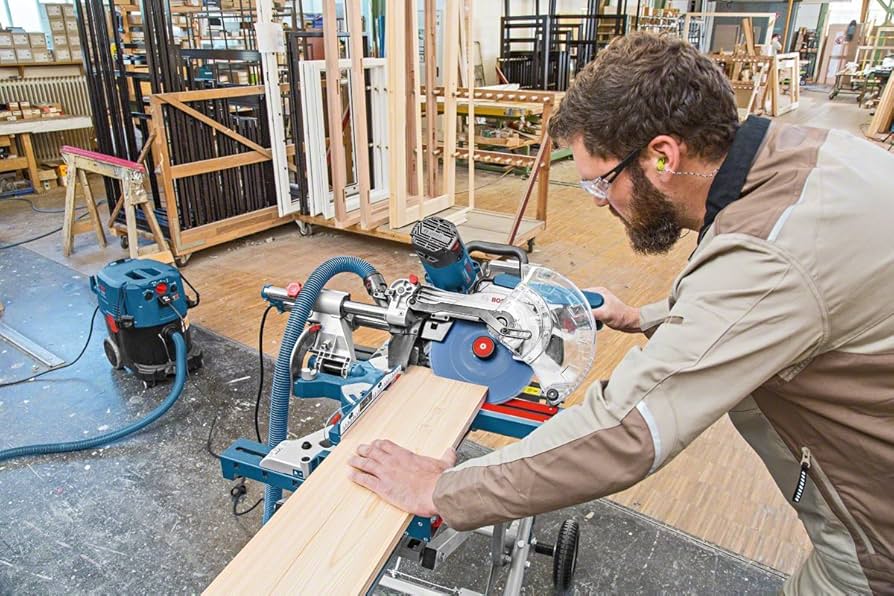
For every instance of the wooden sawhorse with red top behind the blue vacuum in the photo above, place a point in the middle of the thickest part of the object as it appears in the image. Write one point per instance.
(133, 195)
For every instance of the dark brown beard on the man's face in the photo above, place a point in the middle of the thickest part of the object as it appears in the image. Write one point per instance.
(654, 225)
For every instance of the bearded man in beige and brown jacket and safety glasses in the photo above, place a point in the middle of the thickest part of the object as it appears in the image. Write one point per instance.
(783, 318)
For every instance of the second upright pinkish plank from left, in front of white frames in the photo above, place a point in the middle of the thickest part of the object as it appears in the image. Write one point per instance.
(358, 108)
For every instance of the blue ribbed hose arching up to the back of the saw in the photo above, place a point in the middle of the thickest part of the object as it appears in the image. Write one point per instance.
(279, 398)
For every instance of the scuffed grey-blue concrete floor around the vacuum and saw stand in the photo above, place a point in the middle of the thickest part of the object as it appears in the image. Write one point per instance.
(153, 515)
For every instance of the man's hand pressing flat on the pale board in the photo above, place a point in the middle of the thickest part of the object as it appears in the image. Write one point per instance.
(399, 476)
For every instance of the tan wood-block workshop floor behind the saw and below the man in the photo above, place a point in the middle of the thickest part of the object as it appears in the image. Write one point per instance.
(716, 491)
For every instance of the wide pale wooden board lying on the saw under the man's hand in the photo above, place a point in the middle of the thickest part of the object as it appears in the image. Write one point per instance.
(332, 536)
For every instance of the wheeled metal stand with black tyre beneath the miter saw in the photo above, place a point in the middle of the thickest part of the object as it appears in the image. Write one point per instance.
(511, 545)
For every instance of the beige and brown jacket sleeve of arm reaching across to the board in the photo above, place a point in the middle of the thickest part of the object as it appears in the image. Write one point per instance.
(742, 312)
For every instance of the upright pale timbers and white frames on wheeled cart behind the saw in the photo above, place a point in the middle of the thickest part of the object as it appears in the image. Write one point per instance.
(410, 168)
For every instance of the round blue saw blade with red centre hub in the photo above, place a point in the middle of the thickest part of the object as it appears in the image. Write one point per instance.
(453, 358)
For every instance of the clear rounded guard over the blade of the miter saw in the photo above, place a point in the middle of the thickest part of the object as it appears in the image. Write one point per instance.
(562, 345)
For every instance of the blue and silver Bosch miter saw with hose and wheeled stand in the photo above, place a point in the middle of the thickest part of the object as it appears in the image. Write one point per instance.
(523, 331)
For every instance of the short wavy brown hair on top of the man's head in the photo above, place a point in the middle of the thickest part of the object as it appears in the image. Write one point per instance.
(644, 85)
